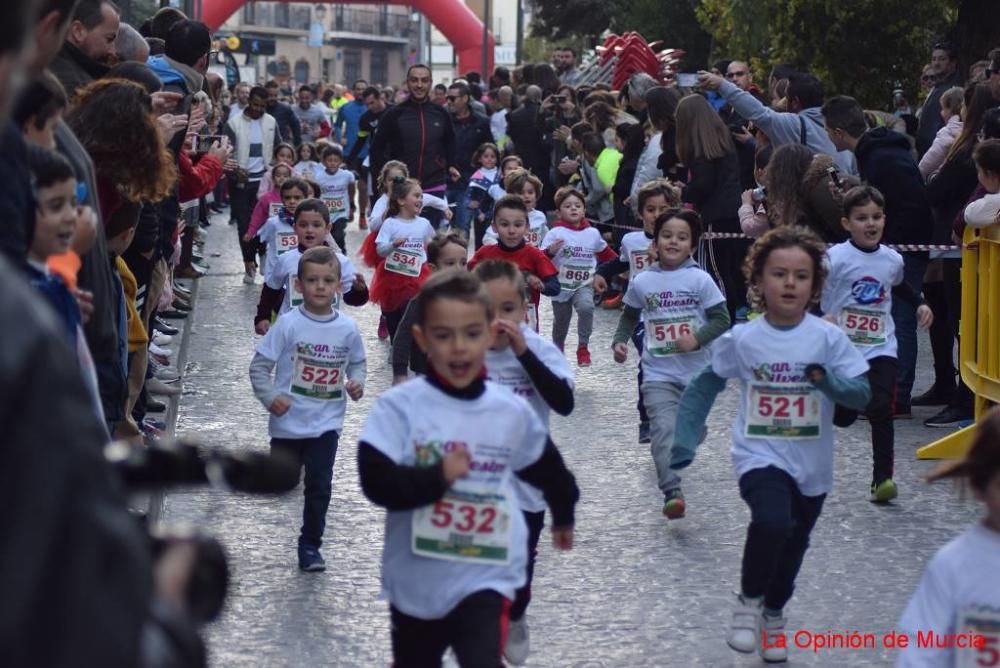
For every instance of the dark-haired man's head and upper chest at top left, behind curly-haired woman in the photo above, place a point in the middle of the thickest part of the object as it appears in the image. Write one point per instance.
(89, 49)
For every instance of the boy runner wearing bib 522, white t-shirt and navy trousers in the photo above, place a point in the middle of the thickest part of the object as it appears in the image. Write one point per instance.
(320, 360)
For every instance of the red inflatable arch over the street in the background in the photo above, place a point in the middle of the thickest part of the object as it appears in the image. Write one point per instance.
(452, 17)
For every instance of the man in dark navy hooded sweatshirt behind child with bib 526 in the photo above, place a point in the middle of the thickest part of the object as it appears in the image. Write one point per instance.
(885, 161)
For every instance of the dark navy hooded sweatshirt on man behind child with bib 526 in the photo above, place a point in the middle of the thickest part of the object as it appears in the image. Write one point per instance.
(885, 160)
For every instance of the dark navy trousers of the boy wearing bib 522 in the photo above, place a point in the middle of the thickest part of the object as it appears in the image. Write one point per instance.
(316, 455)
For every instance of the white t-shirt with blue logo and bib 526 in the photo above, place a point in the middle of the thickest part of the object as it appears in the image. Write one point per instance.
(858, 290)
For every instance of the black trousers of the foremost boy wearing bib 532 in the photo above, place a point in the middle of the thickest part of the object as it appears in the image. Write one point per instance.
(475, 629)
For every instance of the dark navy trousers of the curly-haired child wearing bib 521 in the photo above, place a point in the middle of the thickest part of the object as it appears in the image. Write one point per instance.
(781, 520)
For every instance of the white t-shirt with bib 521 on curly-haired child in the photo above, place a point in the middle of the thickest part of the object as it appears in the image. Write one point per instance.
(784, 421)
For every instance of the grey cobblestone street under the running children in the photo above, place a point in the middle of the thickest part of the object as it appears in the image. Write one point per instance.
(635, 591)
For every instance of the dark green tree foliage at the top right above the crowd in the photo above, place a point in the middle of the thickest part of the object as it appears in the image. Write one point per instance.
(863, 48)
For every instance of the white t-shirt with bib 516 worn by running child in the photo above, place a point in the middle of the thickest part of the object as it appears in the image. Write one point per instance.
(673, 304)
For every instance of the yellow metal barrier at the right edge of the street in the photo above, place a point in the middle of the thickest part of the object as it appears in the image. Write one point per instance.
(979, 331)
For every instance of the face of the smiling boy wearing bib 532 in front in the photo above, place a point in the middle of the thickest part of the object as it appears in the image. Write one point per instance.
(455, 336)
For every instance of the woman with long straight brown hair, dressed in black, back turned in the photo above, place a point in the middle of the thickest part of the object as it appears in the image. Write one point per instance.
(705, 147)
